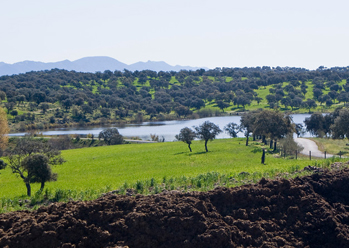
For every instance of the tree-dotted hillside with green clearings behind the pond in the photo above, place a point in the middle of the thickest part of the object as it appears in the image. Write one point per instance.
(39, 100)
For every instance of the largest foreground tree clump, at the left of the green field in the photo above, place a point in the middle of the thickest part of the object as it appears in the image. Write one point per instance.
(31, 159)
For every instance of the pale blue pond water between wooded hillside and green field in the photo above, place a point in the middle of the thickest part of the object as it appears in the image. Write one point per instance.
(165, 129)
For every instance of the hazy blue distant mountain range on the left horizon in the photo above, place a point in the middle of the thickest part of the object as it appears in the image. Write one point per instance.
(89, 64)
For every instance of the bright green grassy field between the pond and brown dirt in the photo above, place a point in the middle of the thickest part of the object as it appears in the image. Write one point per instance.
(95, 168)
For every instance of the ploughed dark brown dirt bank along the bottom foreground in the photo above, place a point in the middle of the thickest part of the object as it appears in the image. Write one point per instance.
(310, 211)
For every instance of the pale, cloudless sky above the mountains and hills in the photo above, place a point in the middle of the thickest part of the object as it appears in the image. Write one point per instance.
(202, 33)
